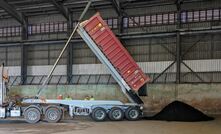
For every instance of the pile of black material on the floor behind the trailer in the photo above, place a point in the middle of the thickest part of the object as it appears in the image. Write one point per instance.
(179, 111)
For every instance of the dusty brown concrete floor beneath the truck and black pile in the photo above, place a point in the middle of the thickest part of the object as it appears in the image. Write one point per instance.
(86, 126)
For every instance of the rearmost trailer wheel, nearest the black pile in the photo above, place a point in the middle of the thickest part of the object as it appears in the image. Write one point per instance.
(132, 114)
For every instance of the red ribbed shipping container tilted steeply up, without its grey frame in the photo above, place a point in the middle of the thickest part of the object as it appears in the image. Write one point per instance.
(109, 44)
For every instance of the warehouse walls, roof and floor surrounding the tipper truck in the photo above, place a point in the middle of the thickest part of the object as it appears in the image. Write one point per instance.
(175, 42)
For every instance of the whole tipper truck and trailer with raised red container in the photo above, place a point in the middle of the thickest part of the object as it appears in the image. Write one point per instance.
(123, 68)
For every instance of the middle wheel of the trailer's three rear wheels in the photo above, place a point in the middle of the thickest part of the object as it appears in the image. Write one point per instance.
(112, 114)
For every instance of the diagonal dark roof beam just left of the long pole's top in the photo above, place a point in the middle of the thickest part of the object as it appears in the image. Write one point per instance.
(63, 10)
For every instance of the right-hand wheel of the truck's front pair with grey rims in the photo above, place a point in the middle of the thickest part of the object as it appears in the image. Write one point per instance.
(53, 114)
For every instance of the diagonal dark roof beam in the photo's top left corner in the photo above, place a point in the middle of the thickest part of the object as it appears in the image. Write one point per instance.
(11, 11)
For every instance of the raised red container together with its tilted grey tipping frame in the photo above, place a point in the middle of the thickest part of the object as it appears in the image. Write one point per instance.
(109, 50)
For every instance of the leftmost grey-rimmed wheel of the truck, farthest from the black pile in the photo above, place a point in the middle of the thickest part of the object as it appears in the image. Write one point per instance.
(32, 115)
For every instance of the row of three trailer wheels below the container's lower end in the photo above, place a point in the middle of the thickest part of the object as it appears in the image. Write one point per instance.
(115, 114)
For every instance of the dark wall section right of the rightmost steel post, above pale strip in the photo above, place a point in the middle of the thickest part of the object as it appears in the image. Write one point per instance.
(202, 47)
